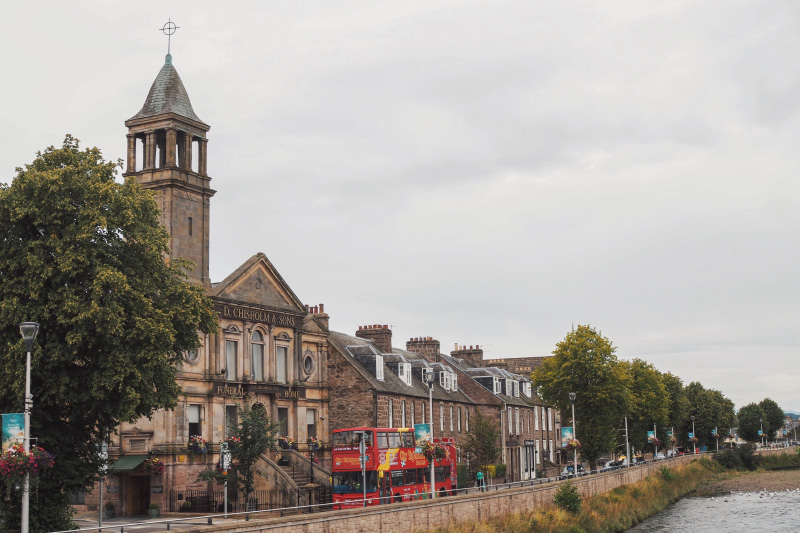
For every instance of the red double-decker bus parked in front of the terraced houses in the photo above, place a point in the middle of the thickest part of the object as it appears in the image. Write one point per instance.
(394, 470)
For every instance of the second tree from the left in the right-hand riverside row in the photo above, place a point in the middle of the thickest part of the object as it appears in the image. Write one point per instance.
(648, 402)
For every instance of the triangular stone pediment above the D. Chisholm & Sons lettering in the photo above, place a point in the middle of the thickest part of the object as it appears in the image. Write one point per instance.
(258, 283)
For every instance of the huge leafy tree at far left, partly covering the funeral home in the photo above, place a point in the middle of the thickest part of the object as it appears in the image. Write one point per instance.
(83, 255)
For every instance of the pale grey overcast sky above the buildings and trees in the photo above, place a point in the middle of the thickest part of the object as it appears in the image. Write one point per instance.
(482, 172)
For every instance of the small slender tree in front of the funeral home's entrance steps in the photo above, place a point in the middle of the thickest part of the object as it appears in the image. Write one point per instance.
(251, 436)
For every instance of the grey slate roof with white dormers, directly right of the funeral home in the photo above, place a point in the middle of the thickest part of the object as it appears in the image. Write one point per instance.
(361, 353)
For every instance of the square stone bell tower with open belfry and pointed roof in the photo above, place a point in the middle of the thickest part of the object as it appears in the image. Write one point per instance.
(167, 153)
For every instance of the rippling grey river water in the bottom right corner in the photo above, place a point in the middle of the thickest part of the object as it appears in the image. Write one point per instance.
(738, 511)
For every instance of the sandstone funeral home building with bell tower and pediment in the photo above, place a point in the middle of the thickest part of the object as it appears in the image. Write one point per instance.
(270, 350)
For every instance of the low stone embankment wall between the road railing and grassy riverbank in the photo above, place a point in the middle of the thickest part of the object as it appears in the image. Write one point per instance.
(443, 512)
